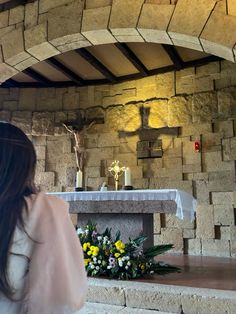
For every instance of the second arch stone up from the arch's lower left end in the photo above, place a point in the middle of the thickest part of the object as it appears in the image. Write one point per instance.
(13, 47)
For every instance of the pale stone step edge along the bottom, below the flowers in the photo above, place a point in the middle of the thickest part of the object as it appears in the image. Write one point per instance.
(157, 297)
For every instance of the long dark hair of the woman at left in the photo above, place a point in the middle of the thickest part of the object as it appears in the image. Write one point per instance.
(17, 169)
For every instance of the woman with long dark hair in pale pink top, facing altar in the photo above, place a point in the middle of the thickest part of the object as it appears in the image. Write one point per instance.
(41, 261)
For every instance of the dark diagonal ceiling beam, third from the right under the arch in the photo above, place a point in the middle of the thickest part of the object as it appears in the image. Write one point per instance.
(84, 53)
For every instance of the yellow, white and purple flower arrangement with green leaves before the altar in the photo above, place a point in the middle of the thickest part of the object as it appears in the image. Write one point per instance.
(104, 256)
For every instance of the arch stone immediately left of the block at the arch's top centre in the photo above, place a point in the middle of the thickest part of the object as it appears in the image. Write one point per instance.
(94, 25)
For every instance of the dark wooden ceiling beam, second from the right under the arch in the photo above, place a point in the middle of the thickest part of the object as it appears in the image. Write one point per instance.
(131, 56)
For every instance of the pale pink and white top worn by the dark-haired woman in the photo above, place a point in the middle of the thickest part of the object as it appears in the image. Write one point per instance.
(49, 270)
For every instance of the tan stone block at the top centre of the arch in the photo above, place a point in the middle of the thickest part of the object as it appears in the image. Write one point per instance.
(124, 18)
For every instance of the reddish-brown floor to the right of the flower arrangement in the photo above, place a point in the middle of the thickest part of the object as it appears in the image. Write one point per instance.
(199, 271)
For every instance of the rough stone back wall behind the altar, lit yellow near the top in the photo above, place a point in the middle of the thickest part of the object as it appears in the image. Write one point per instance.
(200, 102)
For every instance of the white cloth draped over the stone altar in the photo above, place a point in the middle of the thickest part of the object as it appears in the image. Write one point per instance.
(186, 204)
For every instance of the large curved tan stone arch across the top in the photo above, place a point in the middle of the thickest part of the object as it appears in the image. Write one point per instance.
(44, 28)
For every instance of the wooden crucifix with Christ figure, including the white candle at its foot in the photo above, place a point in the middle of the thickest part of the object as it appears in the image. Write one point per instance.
(78, 128)
